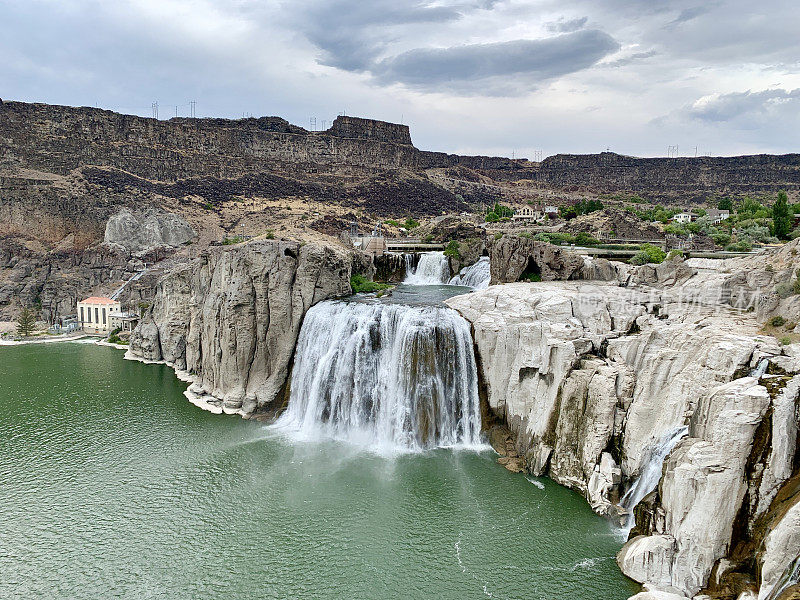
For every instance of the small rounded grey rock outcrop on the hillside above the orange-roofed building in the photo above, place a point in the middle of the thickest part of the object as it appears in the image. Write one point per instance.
(144, 231)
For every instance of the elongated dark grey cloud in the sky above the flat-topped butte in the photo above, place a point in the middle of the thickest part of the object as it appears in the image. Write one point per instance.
(537, 60)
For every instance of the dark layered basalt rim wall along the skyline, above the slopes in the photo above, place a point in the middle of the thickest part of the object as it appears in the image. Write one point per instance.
(58, 139)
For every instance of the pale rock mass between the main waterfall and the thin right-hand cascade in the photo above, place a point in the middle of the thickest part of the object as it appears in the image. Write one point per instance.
(577, 370)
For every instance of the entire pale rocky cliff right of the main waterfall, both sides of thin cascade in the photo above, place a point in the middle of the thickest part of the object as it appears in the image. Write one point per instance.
(591, 377)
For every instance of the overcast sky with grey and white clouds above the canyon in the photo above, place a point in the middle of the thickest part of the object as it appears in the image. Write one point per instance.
(469, 76)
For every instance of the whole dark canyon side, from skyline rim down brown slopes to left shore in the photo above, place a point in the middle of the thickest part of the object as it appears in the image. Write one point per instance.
(66, 171)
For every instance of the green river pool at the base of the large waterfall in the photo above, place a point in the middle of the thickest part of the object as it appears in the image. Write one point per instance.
(112, 485)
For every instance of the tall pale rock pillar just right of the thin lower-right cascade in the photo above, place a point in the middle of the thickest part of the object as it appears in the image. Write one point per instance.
(704, 475)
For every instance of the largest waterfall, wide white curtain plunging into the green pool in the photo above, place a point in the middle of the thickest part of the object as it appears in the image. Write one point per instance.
(388, 376)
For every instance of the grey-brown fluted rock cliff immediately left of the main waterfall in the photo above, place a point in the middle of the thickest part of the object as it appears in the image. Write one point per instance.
(230, 320)
